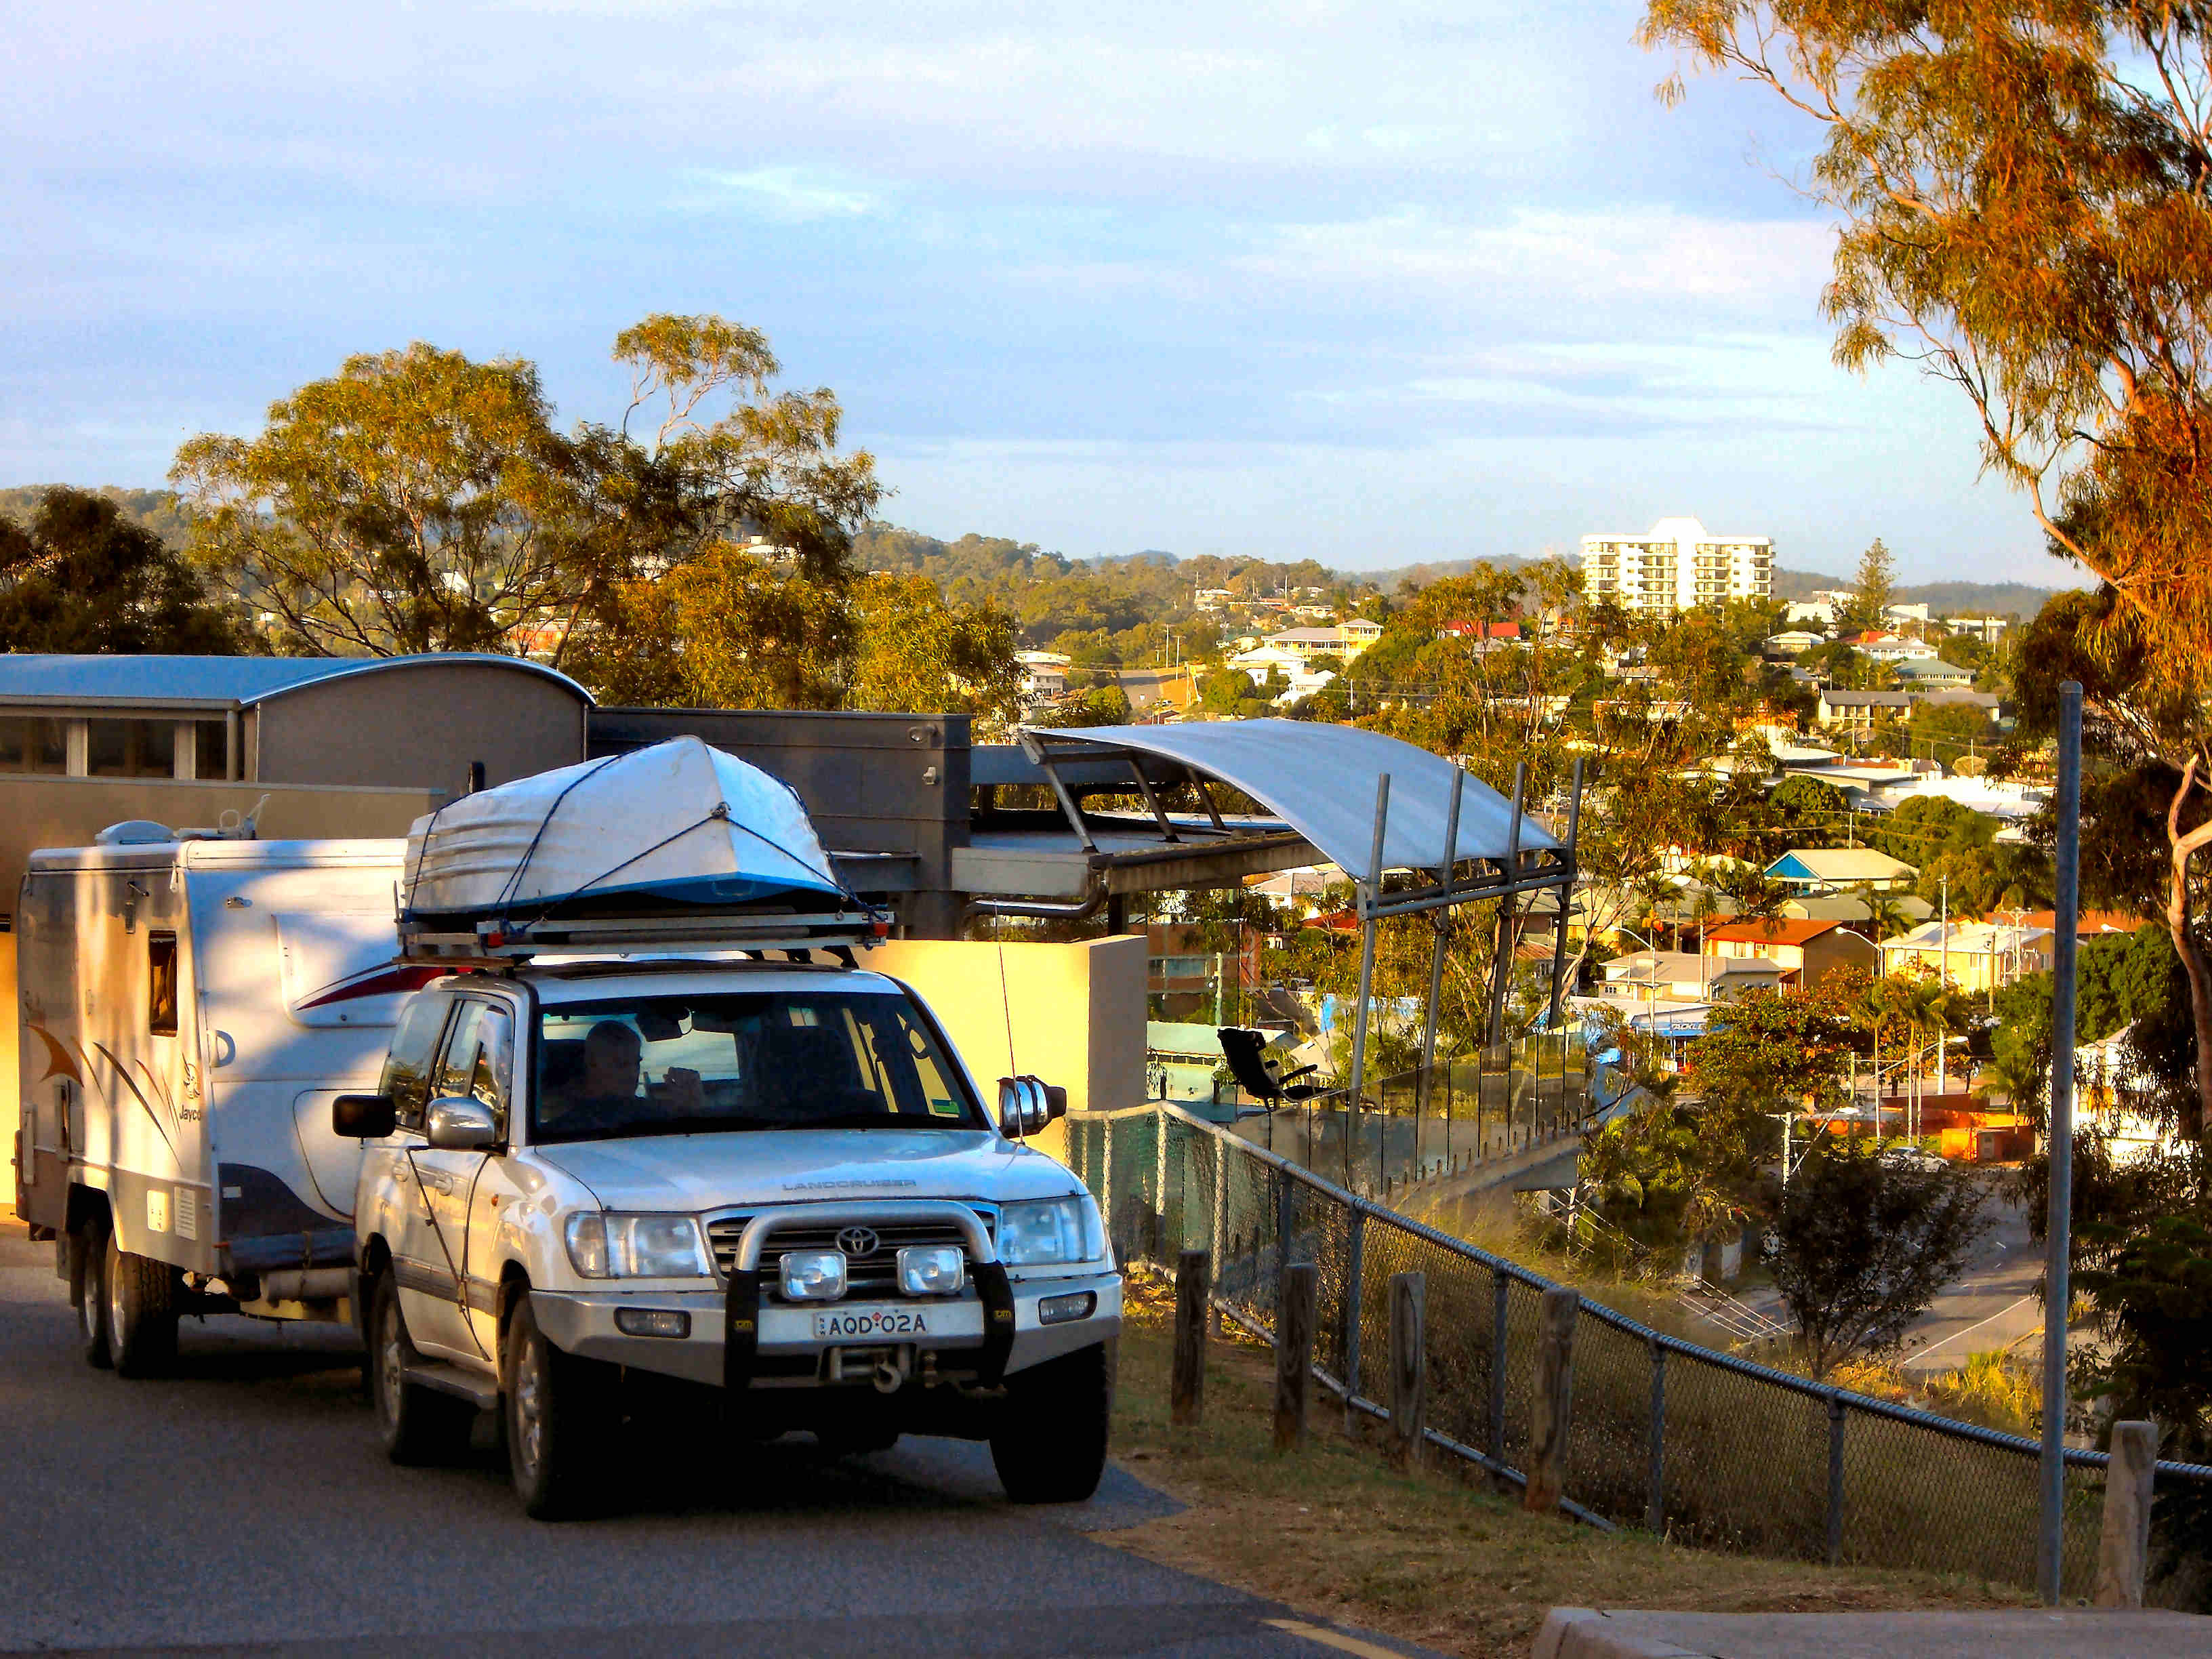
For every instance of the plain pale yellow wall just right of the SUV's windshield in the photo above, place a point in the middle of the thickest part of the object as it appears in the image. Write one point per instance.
(1070, 1014)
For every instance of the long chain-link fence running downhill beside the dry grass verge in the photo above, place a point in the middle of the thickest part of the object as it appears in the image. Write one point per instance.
(1667, 1437)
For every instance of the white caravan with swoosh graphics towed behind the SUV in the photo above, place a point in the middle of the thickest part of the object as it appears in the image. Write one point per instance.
(189, 1014)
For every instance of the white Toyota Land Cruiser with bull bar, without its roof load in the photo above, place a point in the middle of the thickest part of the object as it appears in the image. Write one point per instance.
(766, 1178)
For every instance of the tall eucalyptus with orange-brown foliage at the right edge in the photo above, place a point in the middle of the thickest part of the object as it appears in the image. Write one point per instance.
(2025, 191)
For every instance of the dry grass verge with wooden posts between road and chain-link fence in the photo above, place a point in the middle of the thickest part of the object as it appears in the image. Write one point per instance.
(1432, 1558)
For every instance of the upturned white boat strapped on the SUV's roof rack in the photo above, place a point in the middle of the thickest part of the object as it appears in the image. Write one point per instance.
(662, 828)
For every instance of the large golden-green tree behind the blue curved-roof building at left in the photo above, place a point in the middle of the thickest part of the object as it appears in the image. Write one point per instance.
(424, 501)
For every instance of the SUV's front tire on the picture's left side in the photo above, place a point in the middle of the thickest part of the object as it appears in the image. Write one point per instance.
(561, 1417)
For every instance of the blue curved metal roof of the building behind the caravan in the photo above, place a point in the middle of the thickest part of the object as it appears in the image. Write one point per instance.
(213, 680)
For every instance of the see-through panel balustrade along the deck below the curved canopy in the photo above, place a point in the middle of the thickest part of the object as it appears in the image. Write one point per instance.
(1432, 1123)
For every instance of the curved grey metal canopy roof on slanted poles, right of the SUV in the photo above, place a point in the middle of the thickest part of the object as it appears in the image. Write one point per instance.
(1322, 782)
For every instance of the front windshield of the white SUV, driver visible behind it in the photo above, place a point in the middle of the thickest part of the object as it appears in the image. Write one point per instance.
(689, 1065)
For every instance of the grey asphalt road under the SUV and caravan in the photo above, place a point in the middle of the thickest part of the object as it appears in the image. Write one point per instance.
(244, 1507)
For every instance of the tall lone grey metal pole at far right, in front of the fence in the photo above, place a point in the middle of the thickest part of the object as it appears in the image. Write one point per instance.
(2058, 1224)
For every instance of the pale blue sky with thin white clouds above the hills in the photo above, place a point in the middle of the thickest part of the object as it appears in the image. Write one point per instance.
(1364, 284)
